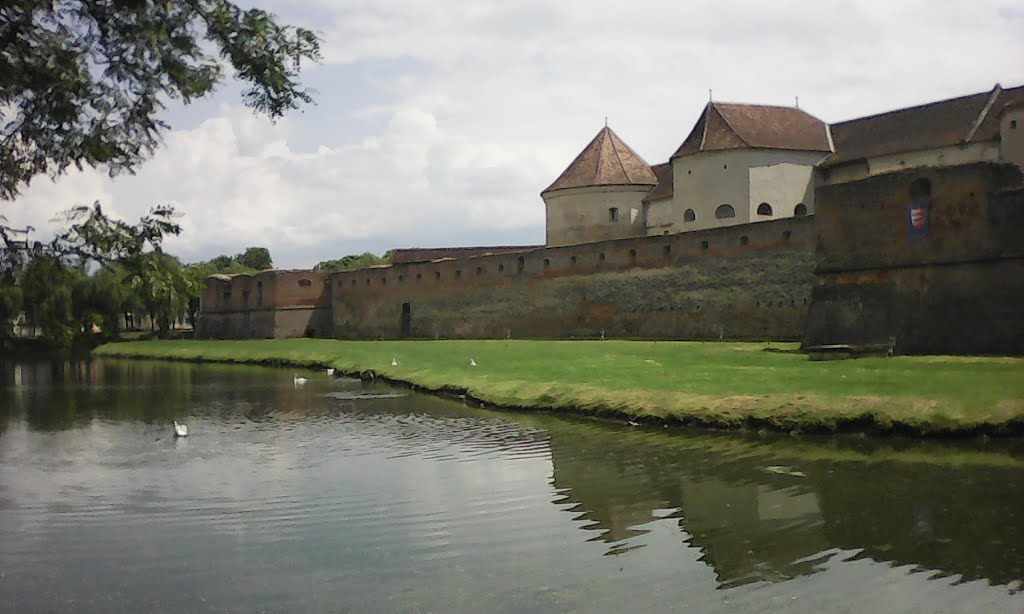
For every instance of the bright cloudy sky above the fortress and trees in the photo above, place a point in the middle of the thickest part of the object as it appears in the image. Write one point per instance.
(439, 123)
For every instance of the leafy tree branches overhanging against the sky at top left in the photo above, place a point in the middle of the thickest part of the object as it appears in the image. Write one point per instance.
(83, 81)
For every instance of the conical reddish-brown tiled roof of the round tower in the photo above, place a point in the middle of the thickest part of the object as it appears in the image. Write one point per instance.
(606, 161)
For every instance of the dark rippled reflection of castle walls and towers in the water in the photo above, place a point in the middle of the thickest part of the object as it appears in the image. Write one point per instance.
(753, 523)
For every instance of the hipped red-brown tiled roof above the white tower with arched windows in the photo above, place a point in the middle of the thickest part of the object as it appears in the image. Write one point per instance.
(731, 126)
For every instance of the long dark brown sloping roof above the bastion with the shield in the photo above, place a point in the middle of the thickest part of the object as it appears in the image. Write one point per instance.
(968, 119)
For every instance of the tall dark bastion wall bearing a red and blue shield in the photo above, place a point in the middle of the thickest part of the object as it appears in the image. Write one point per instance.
(949, 279)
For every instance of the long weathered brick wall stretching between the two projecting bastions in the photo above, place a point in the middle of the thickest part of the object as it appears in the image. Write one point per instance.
(745, 282)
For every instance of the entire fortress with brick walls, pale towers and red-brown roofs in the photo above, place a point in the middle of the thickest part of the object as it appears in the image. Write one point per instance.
(766, 224)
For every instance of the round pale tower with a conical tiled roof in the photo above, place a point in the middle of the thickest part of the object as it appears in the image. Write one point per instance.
(600, 196)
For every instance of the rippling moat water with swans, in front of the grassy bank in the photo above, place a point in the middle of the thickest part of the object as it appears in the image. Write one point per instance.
(339, 496)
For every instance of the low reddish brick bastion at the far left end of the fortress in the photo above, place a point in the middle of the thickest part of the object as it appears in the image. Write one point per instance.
(266, 305)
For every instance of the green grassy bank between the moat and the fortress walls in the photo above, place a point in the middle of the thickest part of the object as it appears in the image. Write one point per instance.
(714, 384)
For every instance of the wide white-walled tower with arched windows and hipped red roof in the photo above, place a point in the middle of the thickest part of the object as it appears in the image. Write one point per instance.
(741, 164)
